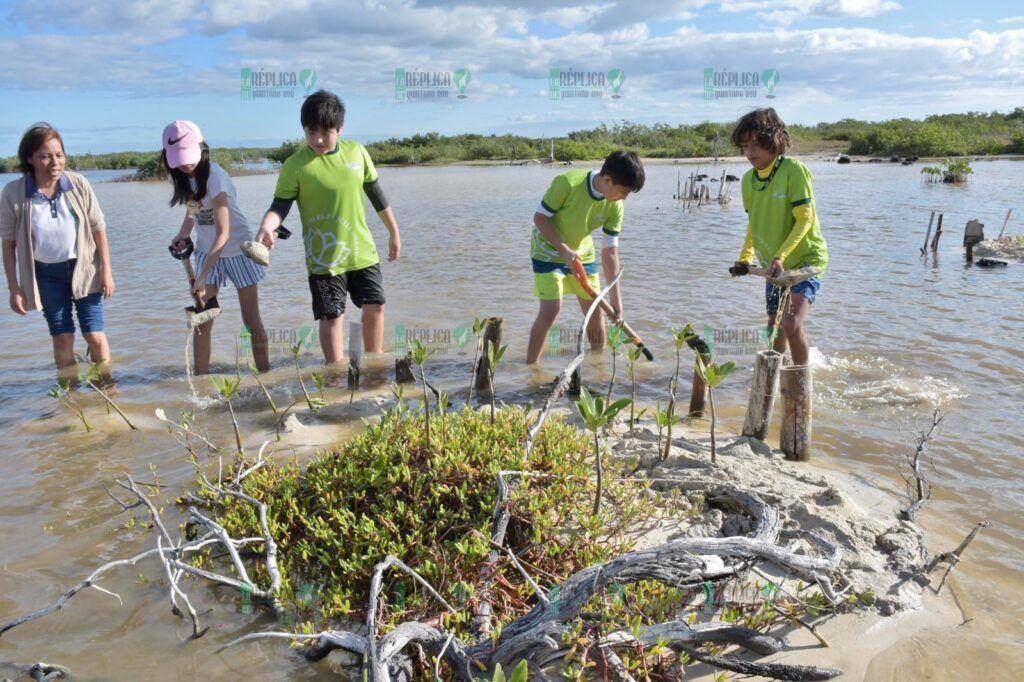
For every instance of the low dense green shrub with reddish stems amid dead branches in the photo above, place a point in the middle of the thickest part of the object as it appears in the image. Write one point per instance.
(387, 492)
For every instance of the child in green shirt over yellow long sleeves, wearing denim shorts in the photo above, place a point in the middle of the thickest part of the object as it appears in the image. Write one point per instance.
(783, 230)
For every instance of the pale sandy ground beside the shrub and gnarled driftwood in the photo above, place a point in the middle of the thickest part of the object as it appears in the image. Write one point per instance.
(880, 551)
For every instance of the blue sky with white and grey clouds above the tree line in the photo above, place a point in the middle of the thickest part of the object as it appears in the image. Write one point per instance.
(111, 75)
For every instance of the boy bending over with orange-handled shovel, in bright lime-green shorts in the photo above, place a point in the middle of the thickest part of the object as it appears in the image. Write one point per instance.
(576, 204)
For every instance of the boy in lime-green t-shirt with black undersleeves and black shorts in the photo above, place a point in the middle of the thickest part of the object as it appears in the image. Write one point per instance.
(328, 178)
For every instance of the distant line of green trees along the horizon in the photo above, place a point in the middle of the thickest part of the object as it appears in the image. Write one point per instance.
(974, 134)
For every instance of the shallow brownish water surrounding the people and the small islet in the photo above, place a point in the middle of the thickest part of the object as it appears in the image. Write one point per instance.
(895, 334)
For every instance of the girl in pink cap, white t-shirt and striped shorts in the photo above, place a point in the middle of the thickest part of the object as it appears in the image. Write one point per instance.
(209, 196)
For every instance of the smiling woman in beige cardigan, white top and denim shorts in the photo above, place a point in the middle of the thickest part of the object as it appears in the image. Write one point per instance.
(55, 247)
